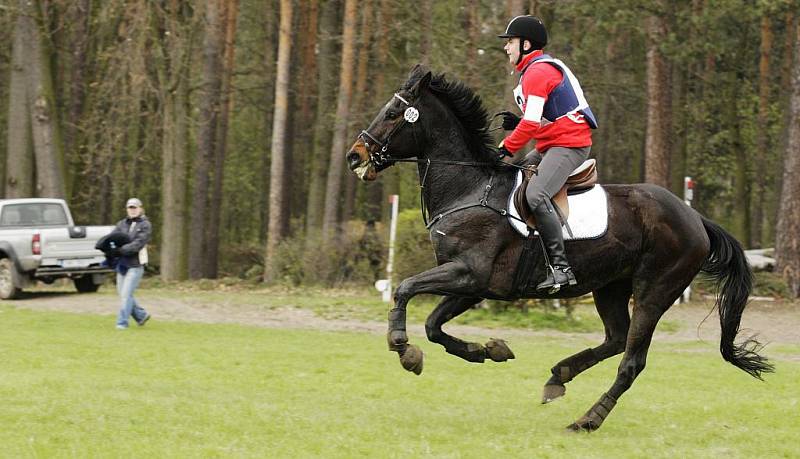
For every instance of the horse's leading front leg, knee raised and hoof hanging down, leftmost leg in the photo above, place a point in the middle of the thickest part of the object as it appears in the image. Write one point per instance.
(452, 278)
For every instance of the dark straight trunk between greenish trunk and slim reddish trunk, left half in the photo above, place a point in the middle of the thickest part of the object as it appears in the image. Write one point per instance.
(206, 142)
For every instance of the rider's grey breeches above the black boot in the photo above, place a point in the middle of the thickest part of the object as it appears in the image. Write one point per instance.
(554, 168)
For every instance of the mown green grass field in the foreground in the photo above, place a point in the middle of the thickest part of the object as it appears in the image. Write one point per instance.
(72, 386)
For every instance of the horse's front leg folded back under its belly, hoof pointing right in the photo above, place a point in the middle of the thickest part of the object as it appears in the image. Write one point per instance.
(449, 308)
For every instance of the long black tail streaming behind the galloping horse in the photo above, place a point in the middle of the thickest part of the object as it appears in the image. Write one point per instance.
(727, 265)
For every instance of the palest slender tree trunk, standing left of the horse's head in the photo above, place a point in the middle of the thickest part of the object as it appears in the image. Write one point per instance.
(278, 149)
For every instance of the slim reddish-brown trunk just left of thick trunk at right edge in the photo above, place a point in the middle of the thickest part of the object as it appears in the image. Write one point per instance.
(758, 186)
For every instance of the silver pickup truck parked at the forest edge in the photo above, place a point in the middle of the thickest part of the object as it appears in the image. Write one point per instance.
(40, 242)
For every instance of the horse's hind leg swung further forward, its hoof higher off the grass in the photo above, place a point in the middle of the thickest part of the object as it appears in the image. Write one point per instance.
(611, 302)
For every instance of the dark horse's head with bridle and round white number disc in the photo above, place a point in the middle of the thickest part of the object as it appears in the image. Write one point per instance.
(389, 137)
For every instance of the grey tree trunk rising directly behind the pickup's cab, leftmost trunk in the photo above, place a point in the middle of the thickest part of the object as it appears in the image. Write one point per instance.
(19, 159)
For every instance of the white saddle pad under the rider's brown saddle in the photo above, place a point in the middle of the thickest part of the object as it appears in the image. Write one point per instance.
(588, 213)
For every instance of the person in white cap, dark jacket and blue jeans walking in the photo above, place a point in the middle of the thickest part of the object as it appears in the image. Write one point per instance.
(132, 257)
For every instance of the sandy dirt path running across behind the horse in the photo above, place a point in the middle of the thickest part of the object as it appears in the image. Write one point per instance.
(775, 322)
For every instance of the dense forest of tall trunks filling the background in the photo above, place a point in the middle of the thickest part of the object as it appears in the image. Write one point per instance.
(230, 119)
